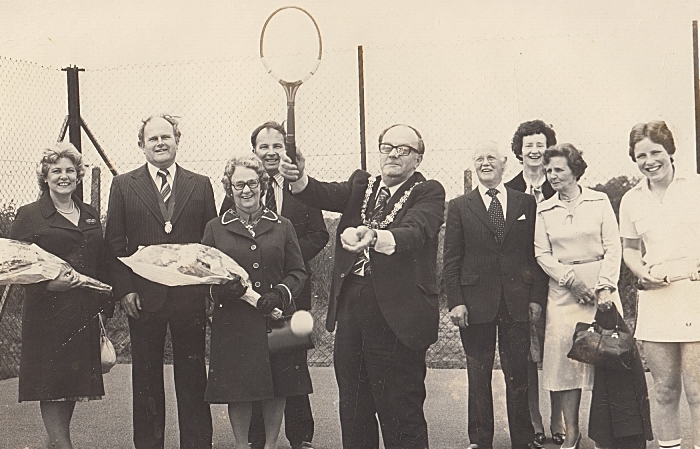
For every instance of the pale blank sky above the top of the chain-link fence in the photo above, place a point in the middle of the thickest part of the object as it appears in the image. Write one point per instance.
(99, 33)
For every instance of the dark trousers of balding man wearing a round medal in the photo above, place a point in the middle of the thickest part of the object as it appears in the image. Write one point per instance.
(147, 346)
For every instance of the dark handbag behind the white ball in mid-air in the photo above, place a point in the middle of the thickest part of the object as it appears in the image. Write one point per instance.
(292, 332)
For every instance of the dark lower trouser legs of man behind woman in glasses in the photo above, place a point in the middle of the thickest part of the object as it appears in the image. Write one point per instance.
(298, 422)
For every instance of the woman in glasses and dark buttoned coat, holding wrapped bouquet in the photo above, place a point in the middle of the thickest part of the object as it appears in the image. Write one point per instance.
(264, 244)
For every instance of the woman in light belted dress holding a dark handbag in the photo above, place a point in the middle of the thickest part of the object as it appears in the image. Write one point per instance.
(577, 244)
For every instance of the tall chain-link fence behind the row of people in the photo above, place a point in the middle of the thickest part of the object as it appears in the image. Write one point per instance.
(497, 85)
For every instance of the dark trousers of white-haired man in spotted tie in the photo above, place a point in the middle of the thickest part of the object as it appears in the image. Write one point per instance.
(479, 342)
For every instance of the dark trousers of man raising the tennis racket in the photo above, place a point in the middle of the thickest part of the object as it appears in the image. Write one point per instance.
(377, 375)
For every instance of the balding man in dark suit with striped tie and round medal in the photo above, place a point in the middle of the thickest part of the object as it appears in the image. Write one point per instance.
(157, 203)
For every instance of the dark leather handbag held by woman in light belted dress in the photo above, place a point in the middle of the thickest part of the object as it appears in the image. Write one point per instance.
(605, 348)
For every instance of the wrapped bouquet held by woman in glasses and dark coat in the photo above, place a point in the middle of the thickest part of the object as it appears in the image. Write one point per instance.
(174, 264)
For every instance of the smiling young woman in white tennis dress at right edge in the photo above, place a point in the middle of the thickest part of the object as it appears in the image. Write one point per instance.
(661, 213)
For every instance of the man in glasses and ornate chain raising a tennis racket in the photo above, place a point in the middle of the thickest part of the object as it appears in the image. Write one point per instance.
(384, 292)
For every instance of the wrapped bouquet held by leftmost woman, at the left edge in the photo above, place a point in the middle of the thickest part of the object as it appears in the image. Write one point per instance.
(27, 263)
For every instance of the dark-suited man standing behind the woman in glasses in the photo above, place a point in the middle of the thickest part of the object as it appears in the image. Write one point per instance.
(268, 144)
